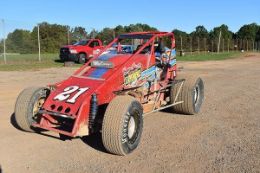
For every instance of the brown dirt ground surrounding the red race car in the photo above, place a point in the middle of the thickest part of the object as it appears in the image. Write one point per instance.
(223, 137)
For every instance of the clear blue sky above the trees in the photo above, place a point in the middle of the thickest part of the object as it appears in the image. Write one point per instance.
(165, 15)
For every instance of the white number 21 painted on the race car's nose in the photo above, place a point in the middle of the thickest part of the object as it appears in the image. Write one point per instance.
(67, 92)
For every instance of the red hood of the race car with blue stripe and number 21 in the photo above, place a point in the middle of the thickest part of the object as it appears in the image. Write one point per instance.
(90, 82)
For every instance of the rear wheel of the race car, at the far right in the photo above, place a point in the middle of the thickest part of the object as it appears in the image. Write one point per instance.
(192, 93)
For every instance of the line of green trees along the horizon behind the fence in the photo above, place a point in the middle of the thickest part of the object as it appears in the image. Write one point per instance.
(53, 36)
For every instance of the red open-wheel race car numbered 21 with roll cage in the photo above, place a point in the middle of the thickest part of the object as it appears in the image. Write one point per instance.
(112, 92)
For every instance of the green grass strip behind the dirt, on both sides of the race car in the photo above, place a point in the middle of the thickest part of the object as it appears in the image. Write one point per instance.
(23, 62)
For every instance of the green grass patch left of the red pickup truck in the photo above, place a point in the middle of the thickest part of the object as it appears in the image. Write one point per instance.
(22, 62)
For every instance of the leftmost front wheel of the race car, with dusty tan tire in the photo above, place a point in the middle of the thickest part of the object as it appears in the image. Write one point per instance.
(28, 103)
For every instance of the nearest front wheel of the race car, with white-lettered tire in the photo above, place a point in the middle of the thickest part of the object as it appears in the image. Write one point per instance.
(122, 125)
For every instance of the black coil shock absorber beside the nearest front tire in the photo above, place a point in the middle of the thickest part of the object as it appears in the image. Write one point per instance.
(93, 111)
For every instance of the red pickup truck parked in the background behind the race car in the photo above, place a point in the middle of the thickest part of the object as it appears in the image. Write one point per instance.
(81, 51)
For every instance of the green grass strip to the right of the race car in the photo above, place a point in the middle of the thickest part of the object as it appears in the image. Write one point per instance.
(209, 56)
